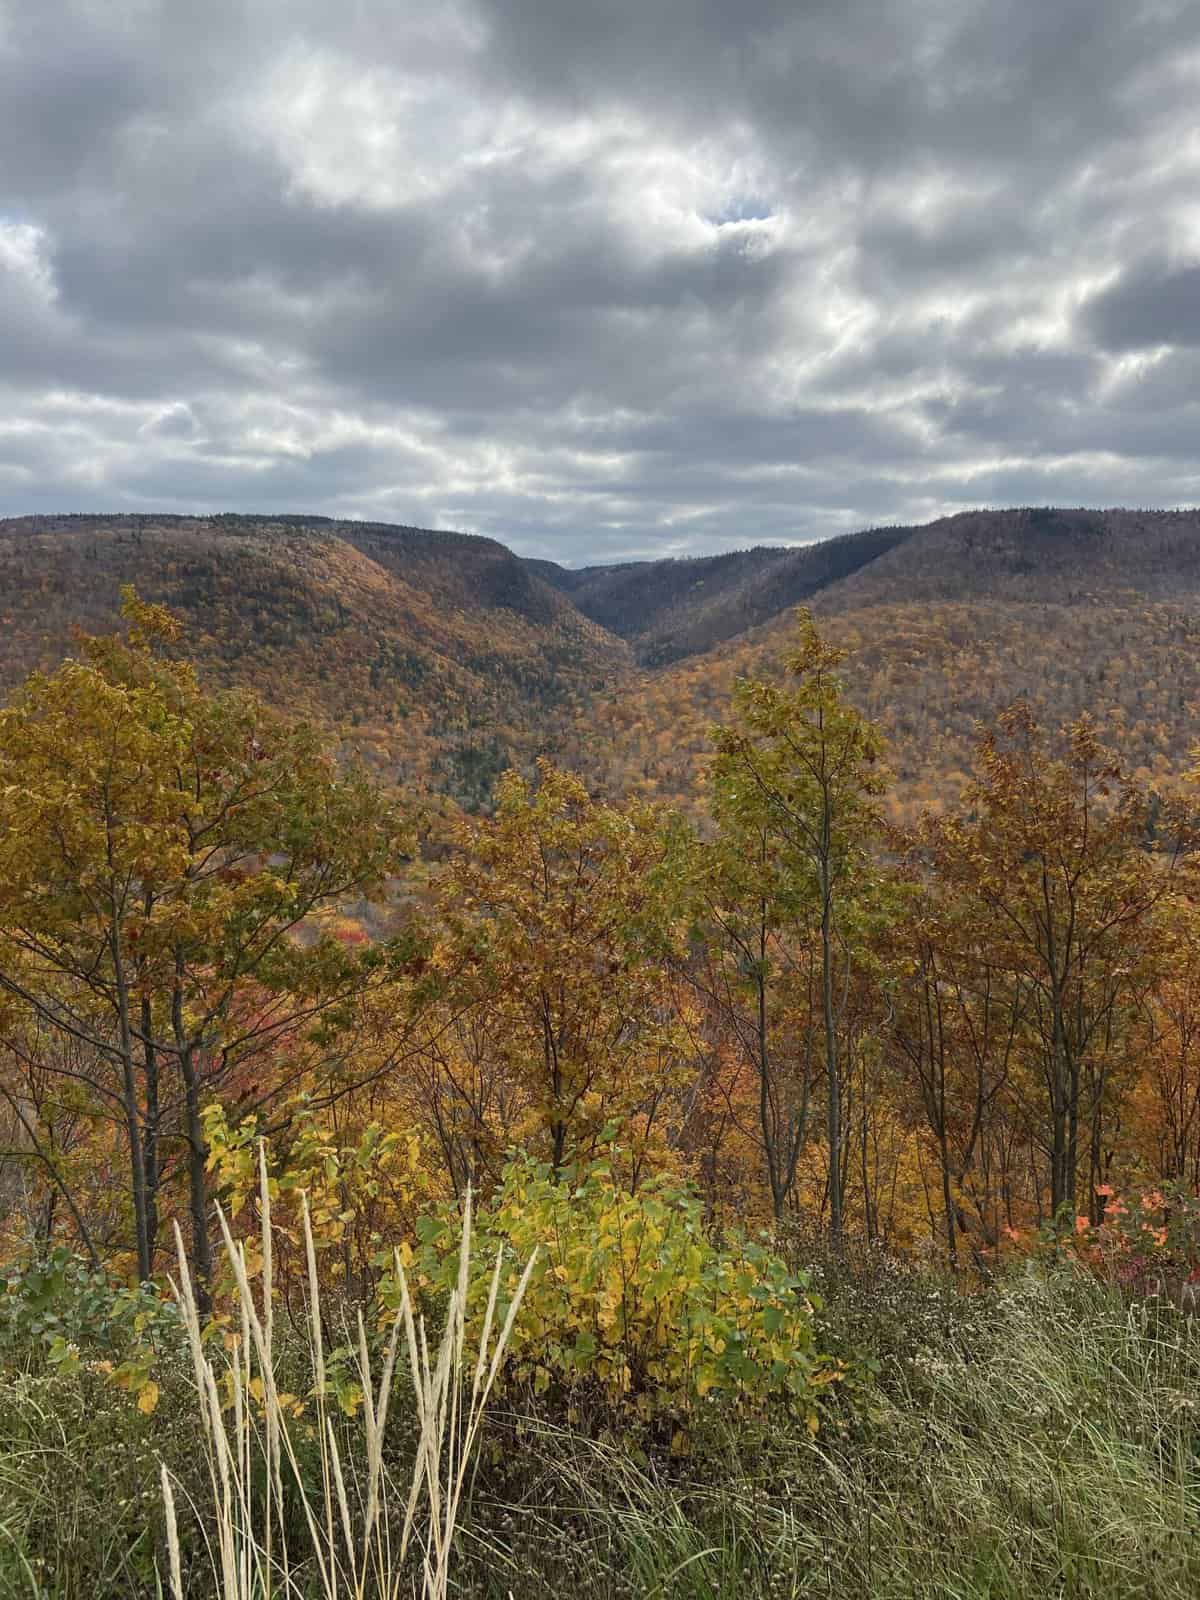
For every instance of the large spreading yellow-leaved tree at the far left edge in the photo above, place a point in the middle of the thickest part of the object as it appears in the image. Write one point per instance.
(162, 857)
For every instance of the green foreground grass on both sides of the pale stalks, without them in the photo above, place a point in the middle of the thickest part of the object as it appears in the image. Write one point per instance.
(1038, 1439)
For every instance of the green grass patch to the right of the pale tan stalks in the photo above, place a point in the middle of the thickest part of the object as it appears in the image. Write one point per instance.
(1055, 1455)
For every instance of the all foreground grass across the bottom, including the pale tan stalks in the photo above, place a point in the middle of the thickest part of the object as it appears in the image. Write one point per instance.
(1039, 1439)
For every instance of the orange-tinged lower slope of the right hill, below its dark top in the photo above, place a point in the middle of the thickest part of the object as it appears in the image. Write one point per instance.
(929, 676)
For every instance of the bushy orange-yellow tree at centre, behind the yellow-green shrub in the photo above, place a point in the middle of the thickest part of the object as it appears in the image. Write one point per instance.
(558, 938)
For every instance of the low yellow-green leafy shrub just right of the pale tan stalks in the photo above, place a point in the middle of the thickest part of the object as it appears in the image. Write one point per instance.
(631, 1300)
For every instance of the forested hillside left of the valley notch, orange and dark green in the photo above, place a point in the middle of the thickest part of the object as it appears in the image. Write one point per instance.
(439, 657)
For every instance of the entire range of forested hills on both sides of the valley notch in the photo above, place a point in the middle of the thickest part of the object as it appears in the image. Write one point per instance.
(444, 658)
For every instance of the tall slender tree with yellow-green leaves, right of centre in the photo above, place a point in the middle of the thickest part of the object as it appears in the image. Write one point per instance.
(798, 785)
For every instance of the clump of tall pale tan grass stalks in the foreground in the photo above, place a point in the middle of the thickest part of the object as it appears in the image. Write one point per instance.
(258, 1441)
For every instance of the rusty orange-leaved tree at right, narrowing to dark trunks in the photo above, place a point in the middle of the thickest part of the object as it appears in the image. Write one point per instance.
(1063, 860)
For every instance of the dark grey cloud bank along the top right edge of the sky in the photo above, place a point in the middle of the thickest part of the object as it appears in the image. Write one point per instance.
(863, 82)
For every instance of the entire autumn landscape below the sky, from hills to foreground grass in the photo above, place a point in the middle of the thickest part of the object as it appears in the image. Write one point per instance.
(748, 1010)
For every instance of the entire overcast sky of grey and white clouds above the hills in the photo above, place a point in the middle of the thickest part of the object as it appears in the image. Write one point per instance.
(599, 278)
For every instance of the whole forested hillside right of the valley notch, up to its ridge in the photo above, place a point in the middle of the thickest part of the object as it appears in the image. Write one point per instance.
(1081, 612)
